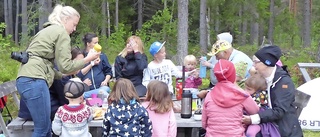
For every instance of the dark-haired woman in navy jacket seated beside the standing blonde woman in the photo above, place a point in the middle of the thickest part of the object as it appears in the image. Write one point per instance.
(99, 72)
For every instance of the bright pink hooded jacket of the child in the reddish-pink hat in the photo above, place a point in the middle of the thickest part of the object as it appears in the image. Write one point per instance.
(223, 110)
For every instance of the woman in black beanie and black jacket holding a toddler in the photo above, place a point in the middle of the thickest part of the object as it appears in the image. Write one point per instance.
(281, 94)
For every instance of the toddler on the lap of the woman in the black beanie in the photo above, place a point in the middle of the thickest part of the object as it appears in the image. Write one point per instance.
(256, 86)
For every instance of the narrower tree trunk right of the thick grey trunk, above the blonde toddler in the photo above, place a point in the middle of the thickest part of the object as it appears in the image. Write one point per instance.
(203, 26)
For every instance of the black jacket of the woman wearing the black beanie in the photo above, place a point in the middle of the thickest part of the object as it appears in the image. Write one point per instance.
(283, 113)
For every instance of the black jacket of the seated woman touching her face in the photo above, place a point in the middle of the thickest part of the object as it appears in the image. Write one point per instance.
(131, 67)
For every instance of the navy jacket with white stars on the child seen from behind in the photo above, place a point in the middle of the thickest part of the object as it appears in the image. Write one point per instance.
(127, 120)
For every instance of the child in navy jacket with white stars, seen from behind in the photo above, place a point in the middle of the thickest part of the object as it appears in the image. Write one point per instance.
(125, 116)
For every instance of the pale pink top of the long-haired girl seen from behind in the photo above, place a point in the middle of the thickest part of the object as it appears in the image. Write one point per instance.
(163, 125)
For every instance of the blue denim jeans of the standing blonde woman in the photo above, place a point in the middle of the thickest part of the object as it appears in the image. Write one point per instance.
(35, 93)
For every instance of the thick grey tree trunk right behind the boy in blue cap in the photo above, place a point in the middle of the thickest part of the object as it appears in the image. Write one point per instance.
(182, 47)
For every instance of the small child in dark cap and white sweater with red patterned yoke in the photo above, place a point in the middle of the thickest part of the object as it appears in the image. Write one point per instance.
(72, 120)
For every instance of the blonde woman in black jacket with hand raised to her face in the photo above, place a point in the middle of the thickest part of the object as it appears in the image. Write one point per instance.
(131, 62)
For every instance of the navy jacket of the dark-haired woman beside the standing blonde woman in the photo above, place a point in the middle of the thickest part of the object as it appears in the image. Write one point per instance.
(97, 73)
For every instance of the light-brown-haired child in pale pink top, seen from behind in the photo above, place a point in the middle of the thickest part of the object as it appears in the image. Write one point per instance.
(160, 108)
